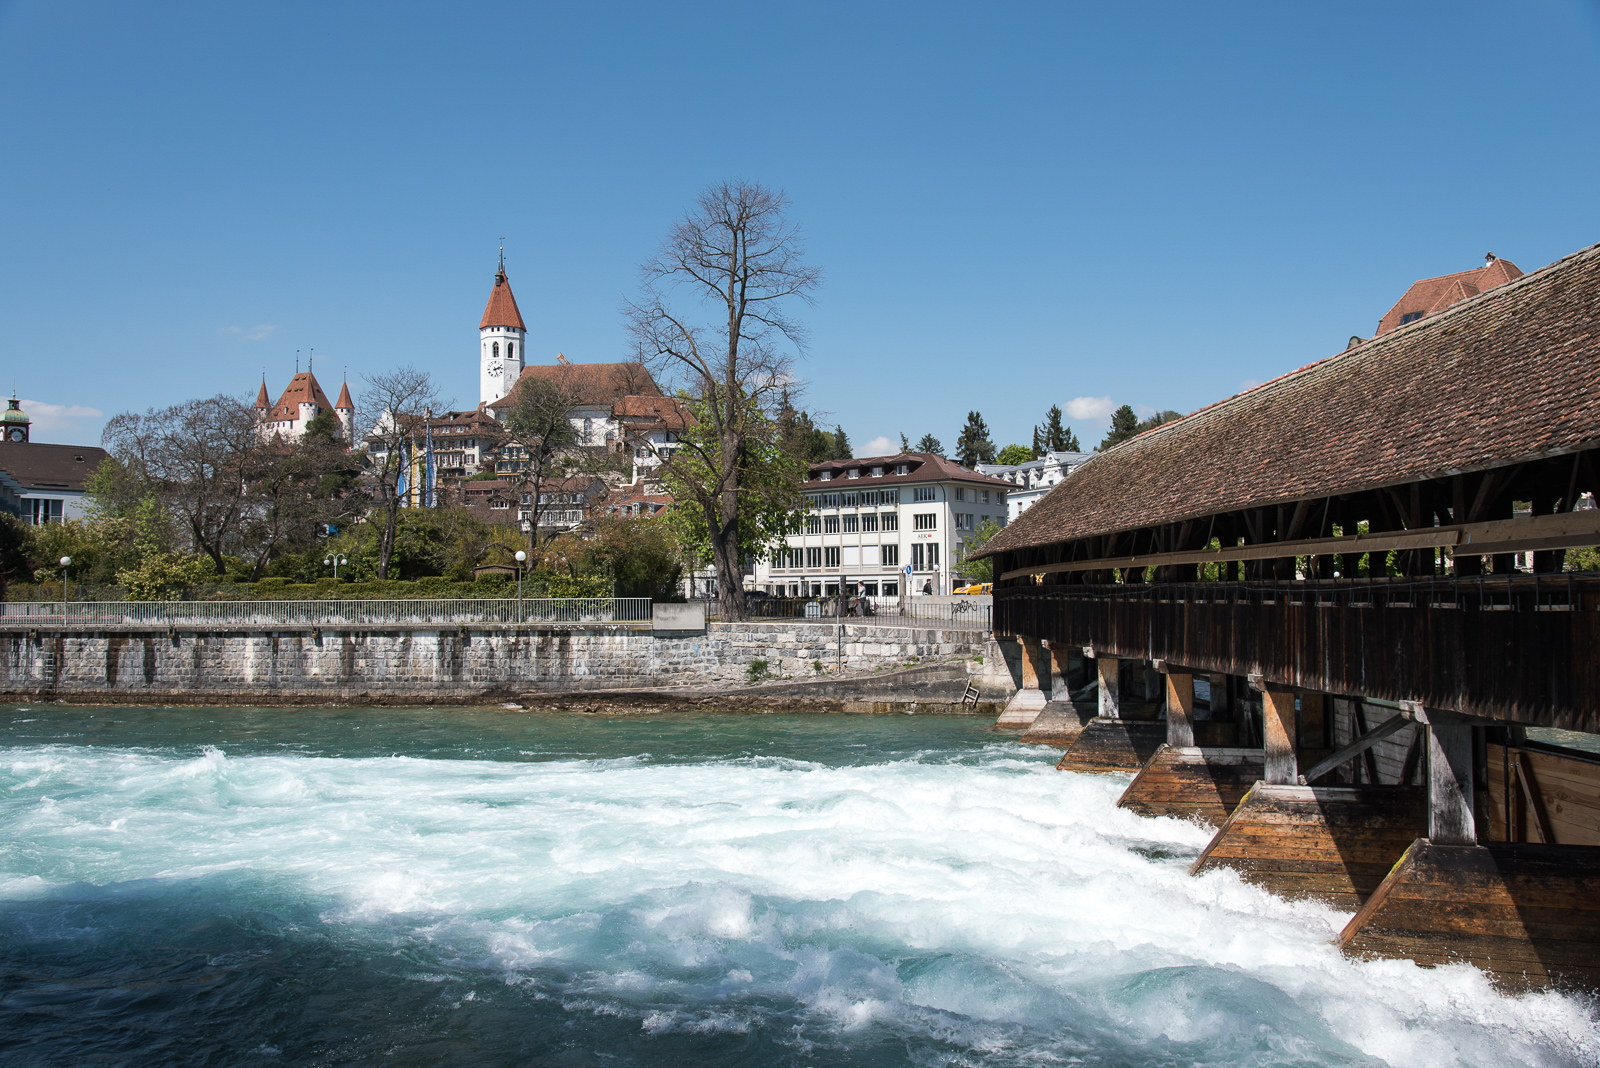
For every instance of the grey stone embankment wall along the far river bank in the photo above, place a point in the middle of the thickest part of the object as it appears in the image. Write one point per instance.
(442, 666)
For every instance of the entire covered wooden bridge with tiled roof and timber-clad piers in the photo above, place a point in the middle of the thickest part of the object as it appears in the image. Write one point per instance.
(1332, 618)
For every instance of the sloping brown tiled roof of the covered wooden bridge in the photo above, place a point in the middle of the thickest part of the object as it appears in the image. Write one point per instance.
(1506, 377)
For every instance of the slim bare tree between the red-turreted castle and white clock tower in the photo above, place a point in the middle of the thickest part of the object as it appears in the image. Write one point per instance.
(393, 421)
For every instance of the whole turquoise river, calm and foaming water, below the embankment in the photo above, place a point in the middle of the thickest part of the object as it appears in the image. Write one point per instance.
(204, 887)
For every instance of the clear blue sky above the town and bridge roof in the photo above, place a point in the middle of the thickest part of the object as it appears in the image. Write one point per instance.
(1017, 205)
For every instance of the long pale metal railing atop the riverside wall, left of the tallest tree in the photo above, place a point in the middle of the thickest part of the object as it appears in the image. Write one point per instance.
(546, 612)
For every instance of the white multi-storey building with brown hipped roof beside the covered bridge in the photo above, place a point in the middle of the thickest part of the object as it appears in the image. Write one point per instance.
(889, 525)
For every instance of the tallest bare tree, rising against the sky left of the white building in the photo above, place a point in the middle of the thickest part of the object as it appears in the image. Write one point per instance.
(738, 253)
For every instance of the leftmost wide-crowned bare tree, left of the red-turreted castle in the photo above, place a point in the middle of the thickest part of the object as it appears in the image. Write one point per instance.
(198, 460)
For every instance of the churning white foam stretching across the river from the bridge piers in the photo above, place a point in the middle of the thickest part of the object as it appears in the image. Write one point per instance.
(990, 903)
